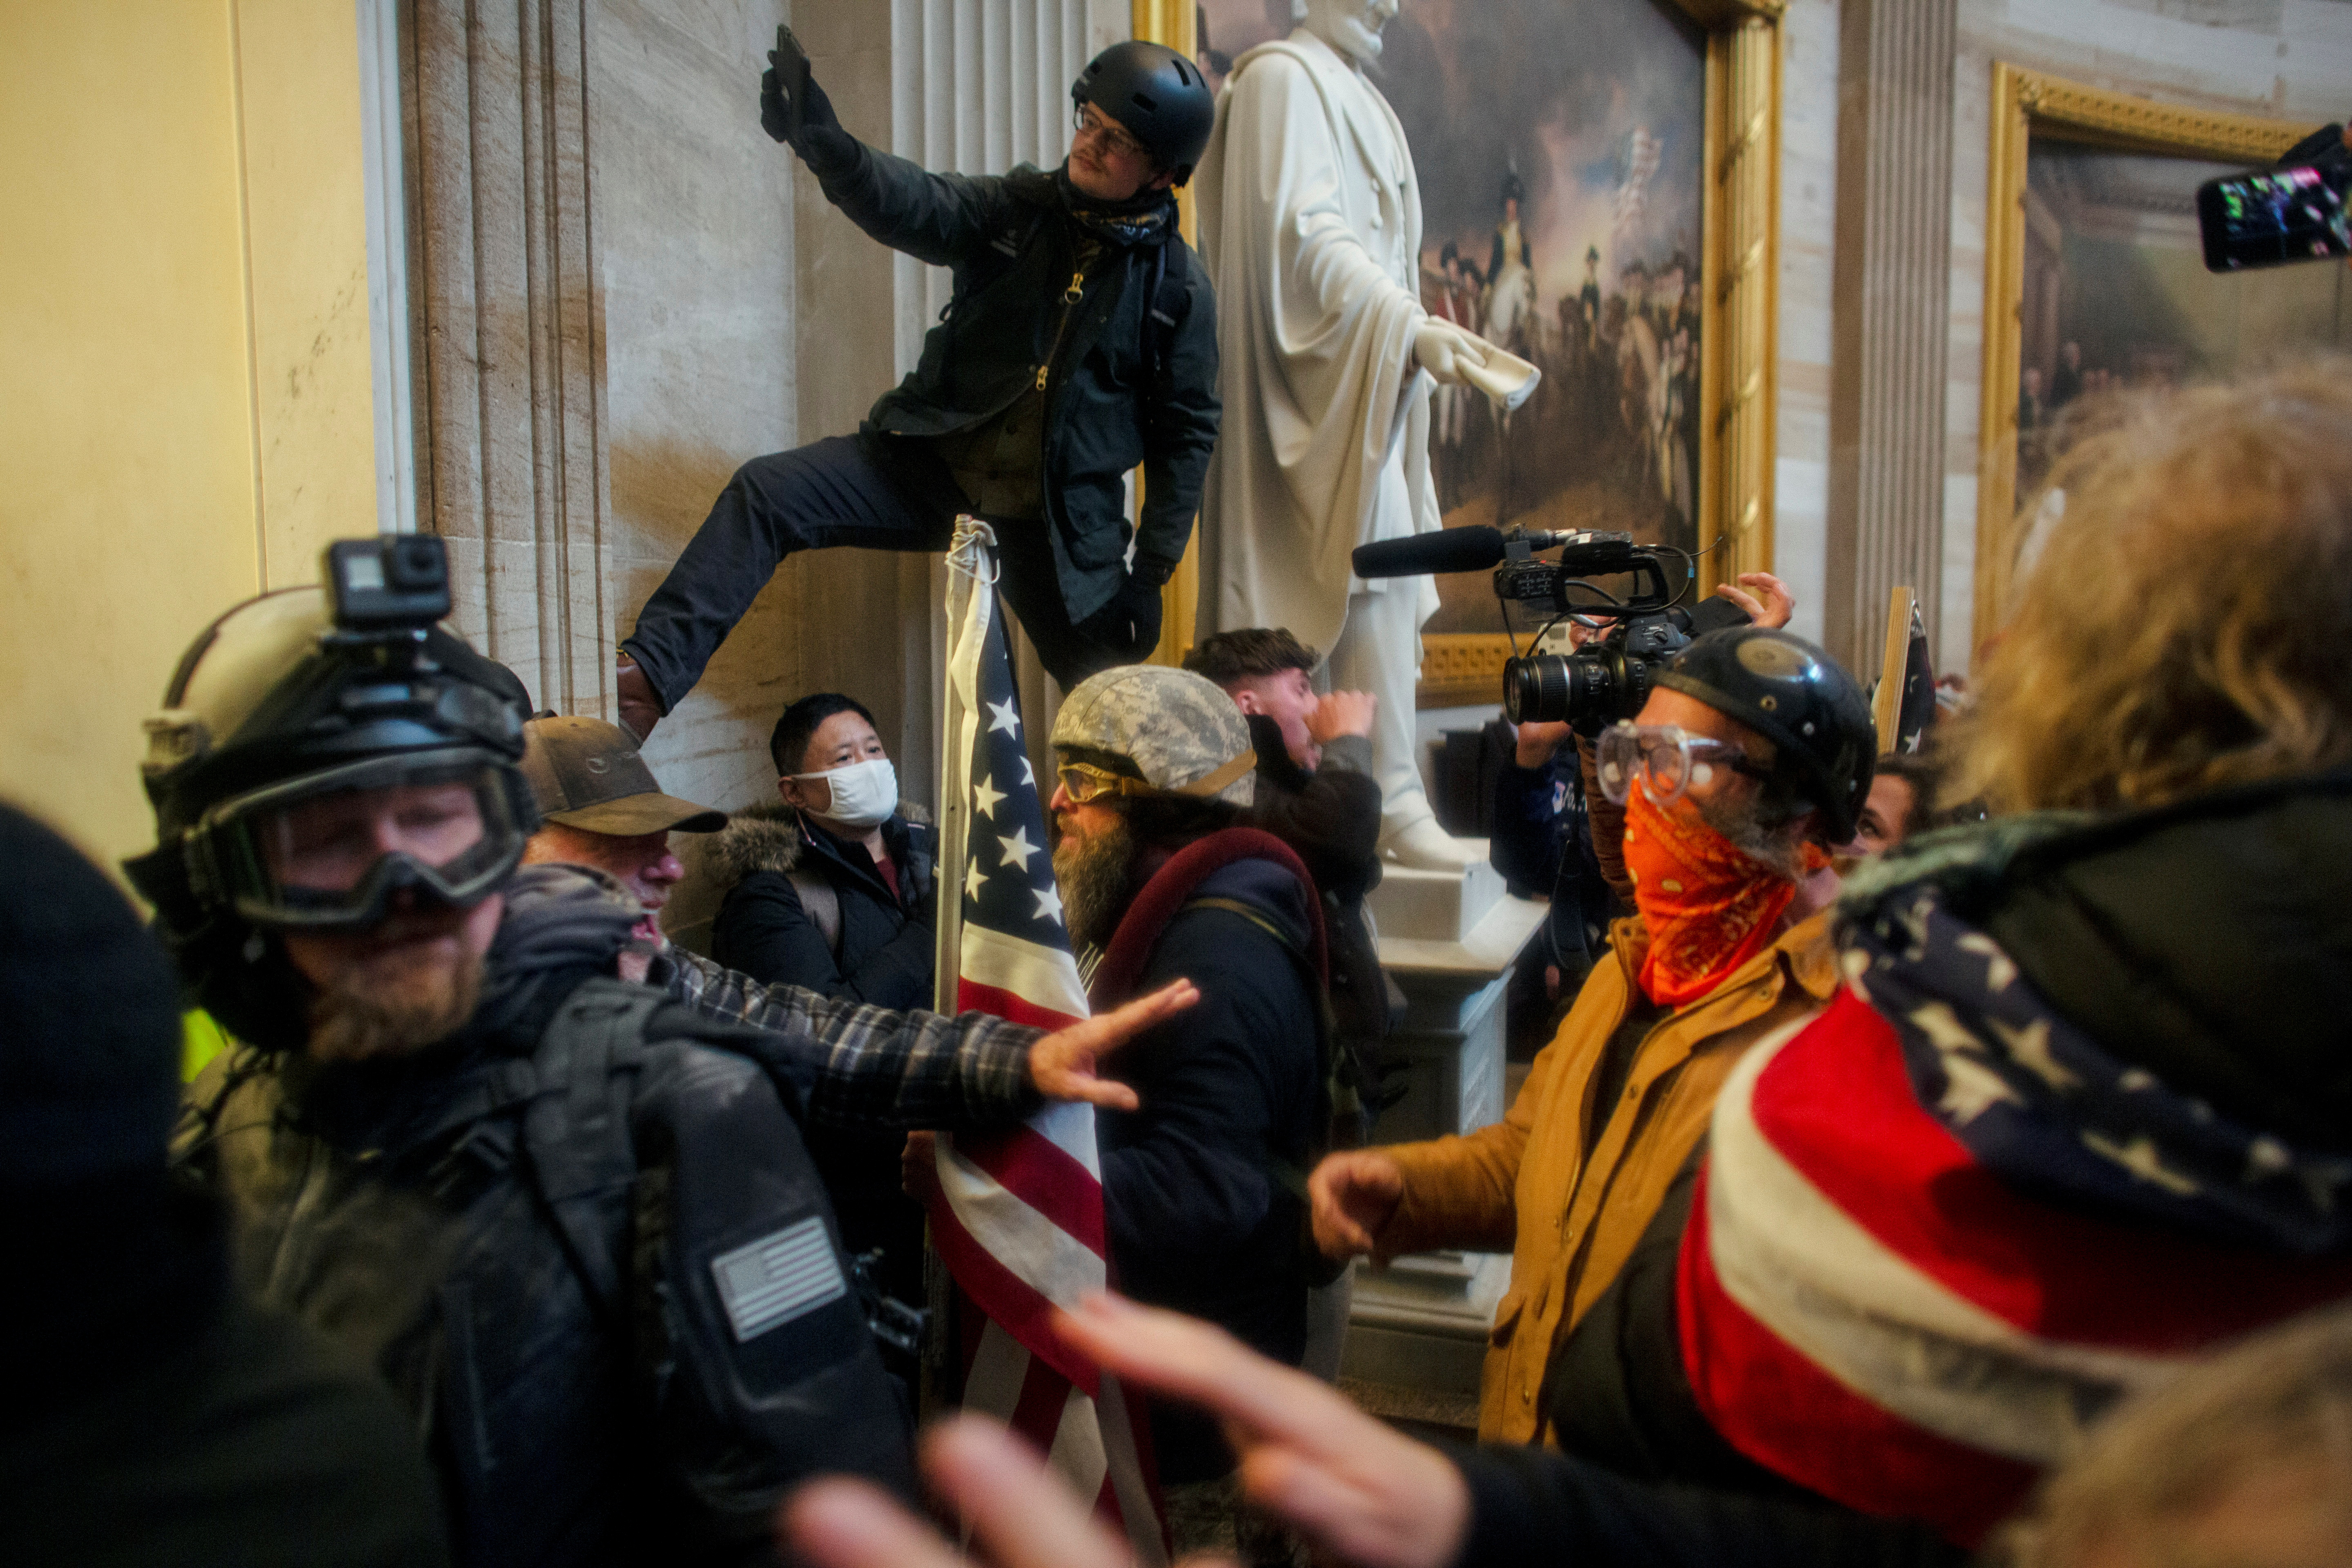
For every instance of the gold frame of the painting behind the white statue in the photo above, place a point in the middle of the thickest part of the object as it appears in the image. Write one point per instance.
(1739, 328)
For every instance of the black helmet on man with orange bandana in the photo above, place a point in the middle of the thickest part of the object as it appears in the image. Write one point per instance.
(1796, 697)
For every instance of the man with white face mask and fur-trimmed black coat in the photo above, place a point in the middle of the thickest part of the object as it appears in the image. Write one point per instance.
(836, 890)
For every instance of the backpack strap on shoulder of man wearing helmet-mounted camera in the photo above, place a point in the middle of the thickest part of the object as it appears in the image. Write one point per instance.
(577, 1125)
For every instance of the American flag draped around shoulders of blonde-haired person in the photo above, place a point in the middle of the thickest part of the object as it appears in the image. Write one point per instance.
(1923, 1252)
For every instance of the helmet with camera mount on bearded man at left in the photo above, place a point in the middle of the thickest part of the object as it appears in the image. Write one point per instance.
(281, 709)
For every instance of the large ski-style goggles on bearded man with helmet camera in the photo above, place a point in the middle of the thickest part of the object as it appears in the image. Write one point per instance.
(330, 850)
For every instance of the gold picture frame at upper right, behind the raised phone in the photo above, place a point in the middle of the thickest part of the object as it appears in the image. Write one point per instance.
(2031, 105)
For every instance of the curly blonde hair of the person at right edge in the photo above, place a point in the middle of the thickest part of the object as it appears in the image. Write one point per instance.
(2191, 619)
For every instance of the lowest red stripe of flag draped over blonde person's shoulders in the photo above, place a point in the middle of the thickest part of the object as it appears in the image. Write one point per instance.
(1786, 1414)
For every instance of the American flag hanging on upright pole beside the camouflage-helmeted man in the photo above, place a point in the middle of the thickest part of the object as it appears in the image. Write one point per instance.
(1020, 1219)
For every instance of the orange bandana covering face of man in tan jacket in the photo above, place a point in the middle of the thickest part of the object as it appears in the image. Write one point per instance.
(1709, 904)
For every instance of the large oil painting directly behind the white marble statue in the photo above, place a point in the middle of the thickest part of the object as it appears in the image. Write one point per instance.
(1561, 161)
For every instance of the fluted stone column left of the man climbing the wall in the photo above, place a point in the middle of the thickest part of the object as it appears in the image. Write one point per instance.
(512, 467)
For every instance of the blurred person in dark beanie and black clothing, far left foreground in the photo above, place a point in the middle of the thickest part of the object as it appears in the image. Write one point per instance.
(154, 1416)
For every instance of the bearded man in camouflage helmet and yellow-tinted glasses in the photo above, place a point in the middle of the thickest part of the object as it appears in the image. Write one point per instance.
(1161, 878)
